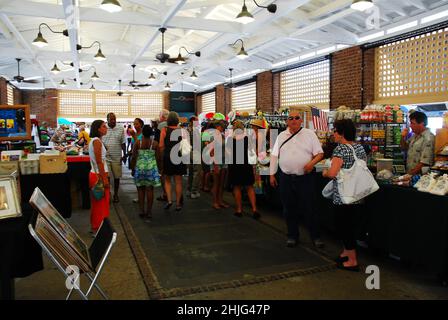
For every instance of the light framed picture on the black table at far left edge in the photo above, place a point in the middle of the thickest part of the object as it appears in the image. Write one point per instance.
(9, 198)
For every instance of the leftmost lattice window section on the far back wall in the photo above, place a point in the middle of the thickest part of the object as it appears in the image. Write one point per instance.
(75, 103)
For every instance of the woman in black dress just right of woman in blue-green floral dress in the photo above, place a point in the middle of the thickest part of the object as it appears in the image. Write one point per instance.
(169, 168)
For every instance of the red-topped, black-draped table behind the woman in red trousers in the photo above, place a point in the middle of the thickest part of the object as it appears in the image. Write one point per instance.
(78, 172)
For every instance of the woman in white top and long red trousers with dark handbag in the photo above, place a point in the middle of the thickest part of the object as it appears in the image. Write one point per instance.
(98, 176)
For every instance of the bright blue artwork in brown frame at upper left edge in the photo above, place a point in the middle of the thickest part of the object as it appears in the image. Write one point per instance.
(15, 123)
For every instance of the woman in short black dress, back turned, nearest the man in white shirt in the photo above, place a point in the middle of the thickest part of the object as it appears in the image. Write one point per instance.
(241, 172)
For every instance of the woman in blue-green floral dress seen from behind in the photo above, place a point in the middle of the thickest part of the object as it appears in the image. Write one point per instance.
(144, 170)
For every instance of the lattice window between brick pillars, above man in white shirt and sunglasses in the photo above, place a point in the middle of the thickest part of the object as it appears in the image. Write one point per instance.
(307, 85)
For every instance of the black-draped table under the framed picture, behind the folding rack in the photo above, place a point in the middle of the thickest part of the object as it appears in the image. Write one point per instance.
(20, 255)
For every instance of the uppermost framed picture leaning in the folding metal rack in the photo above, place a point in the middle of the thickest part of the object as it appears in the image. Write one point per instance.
(60, 225)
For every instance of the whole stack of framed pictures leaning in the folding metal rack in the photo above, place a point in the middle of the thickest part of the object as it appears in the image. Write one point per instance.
(58, 233)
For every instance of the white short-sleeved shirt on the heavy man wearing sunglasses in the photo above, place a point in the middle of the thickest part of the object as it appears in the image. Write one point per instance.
(298, 151)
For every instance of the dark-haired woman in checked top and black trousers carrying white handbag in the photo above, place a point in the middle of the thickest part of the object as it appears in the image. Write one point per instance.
(346, 214)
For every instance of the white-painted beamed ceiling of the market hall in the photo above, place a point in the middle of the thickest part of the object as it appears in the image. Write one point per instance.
(299, 27)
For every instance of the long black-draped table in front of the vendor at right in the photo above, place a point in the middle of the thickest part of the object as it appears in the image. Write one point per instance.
(401, 221)
